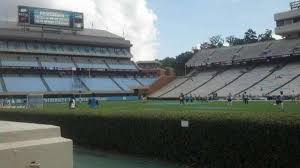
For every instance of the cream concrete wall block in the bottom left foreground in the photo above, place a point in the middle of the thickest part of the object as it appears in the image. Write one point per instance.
(32, 146)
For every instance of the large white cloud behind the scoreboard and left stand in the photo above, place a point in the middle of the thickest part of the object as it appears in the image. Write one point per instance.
(131, 18)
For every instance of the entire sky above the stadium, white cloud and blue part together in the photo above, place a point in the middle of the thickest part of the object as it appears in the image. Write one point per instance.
(164, 28)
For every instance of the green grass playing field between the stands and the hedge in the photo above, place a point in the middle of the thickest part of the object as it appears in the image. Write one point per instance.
(255, 110)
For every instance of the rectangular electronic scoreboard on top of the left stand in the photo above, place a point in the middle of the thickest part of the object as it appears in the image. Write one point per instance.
(43, 17)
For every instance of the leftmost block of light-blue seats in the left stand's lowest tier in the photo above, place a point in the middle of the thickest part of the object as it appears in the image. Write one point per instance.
(24, 83)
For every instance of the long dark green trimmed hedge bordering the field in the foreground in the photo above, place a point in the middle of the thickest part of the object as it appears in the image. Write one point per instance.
(210, 143)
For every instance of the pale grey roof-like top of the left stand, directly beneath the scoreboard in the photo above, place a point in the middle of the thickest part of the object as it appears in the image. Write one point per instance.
(10, 30)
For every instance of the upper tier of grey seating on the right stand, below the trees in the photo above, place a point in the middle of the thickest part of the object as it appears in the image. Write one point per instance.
(254, 51)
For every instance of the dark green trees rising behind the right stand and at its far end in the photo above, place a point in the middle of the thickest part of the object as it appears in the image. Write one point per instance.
(250, 36)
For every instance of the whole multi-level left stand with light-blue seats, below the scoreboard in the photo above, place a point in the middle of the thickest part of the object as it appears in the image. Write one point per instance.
(59, 62)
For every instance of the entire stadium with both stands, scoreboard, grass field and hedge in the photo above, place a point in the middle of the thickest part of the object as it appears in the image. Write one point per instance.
(45, 63)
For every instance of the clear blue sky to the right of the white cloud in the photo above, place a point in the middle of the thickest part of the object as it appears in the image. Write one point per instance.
(183, 24)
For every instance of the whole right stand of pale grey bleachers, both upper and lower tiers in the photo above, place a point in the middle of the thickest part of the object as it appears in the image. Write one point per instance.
(260, 69)
